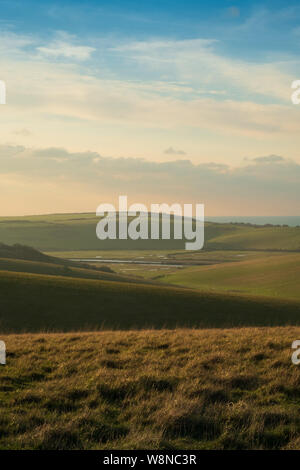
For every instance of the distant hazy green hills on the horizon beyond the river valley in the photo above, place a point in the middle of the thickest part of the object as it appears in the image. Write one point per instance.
(75, 232)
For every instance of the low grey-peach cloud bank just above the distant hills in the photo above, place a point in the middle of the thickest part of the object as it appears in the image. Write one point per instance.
(265, 186)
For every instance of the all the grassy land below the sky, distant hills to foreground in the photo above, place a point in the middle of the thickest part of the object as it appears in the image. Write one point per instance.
(166, 360)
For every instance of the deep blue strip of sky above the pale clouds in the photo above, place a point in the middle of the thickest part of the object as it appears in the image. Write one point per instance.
(240, 25)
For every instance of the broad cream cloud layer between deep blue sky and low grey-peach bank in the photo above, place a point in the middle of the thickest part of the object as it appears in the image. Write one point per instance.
(165, 88)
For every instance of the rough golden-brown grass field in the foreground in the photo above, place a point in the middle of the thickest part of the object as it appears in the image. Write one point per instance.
(182, 389)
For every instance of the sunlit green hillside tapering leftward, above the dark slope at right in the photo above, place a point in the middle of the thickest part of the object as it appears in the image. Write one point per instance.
(277, 276)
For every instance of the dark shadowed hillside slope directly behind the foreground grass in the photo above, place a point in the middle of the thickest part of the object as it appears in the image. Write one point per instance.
(31, 302)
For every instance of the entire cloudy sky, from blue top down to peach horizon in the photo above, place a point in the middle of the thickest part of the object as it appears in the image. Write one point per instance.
(164, 101)
